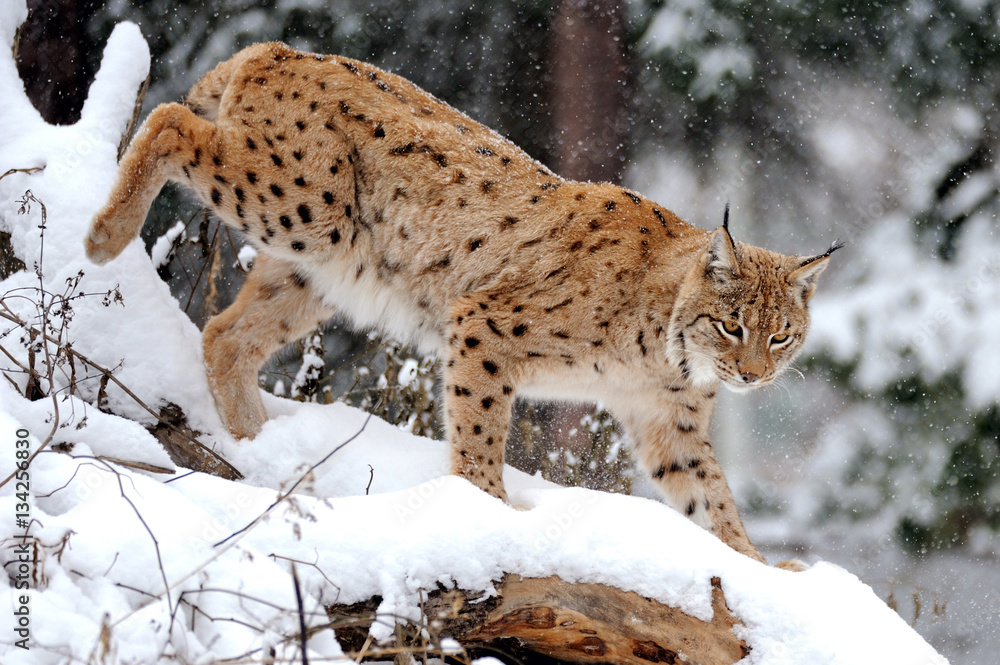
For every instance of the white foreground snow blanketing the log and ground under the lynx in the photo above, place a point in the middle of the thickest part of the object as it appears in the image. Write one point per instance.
(137, 566)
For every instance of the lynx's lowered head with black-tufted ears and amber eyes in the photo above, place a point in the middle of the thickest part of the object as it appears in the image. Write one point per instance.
(742, 313)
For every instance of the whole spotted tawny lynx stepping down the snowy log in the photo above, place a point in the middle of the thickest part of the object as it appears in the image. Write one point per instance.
(366, 196)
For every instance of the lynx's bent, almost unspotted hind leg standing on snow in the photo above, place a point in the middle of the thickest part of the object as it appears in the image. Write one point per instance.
(275, 307)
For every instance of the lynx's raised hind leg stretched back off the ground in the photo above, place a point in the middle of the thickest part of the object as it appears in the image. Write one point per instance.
(163, 147)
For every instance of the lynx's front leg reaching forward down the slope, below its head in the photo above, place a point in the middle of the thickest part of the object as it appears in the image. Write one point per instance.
(671, 442)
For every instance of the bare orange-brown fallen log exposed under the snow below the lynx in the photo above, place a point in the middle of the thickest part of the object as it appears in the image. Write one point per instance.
(576, 623)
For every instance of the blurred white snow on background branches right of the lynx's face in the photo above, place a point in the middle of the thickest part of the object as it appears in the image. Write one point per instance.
(940, 320)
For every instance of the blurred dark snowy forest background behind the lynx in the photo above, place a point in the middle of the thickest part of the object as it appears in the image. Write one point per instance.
(874, 123)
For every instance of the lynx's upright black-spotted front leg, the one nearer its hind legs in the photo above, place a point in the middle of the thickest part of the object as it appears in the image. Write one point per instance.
(479, 382)
